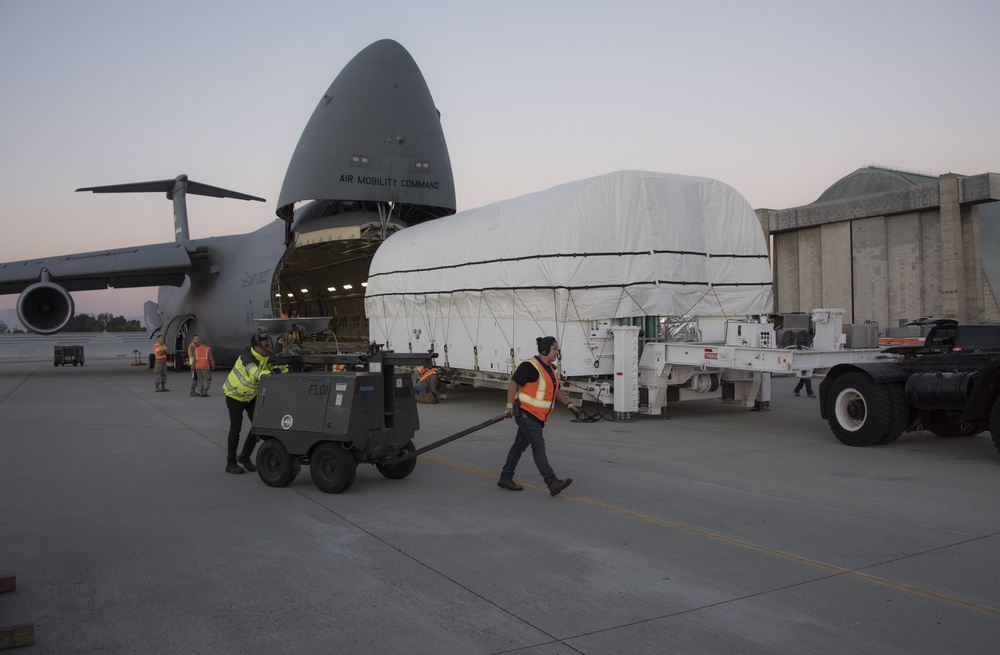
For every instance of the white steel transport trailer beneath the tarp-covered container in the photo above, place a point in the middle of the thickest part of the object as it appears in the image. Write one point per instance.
(643, 369)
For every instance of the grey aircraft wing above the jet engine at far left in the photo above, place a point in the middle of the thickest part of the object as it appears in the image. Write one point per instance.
(141, 266)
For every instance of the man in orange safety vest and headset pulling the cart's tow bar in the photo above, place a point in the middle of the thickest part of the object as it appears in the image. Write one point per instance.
(535, 387)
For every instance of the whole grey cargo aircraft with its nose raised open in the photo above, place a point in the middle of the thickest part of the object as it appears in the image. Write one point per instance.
(372, 160)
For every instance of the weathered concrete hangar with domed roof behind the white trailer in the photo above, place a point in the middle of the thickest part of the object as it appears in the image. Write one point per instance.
(891, 246)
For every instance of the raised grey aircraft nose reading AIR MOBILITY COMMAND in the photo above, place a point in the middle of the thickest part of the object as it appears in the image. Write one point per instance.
(374, 138)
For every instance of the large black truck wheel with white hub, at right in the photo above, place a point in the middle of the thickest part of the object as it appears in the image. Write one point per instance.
(862, 412)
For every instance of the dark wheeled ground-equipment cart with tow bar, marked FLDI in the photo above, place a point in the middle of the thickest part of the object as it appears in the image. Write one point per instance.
(335, 420)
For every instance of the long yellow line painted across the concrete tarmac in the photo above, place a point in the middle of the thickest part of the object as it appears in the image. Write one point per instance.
(738, 543)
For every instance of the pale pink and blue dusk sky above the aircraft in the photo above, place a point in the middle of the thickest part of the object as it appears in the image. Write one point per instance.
(777, 99)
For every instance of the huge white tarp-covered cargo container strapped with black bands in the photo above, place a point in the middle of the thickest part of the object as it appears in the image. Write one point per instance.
(481, 285)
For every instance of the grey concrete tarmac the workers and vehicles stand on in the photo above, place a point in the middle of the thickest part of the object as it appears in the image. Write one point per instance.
(716, 530)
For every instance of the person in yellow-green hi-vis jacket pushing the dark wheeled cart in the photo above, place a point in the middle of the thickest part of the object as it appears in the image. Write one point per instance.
(241, 396)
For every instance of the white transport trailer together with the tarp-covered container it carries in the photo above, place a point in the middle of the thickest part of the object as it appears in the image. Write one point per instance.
(658, 288)
